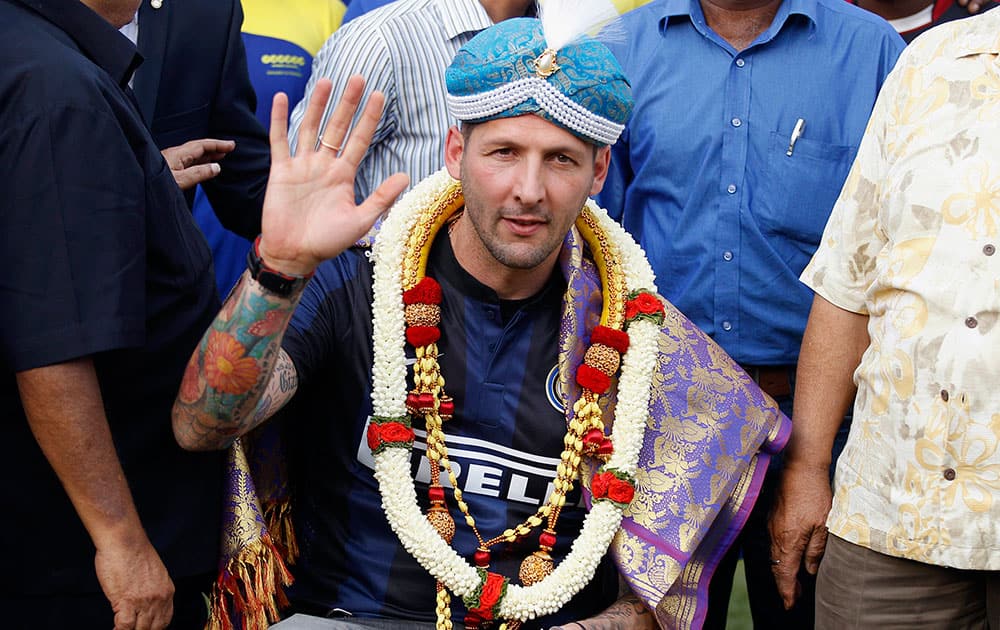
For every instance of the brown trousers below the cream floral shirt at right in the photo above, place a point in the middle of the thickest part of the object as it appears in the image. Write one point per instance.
(861, 588)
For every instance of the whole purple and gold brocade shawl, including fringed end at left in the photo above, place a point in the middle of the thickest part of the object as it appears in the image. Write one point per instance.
(710, 435)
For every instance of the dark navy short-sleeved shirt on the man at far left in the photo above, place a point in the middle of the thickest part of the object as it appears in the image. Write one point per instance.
(101, 259)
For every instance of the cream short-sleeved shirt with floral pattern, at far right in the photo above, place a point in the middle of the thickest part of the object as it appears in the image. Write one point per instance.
(912, 243)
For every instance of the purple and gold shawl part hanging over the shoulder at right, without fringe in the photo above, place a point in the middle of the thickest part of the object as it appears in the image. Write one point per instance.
(709, 438)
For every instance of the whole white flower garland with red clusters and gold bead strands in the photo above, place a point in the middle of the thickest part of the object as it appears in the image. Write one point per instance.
(400, 257)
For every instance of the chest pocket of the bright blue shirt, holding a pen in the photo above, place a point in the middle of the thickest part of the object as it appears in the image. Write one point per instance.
(799, 190)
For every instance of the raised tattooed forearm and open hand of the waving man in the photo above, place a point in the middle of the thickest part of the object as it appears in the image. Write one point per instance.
(238, 375)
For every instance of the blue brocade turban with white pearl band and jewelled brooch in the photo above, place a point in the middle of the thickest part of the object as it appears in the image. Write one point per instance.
(510, 70)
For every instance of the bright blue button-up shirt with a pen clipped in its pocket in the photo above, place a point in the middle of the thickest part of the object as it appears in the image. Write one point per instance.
(702, 175)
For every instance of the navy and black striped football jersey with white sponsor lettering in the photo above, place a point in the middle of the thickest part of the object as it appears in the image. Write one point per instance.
(499, 364)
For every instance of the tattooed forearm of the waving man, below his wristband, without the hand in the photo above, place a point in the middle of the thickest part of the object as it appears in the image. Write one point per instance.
(238, 376)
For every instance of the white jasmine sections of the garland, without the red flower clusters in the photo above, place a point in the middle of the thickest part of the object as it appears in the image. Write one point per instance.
(392, 465)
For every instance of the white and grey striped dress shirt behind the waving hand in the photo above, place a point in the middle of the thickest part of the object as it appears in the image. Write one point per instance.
(402, 49)
